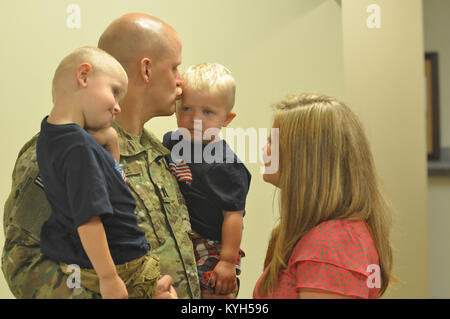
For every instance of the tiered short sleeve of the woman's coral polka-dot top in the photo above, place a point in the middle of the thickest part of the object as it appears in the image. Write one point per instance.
(333, 260)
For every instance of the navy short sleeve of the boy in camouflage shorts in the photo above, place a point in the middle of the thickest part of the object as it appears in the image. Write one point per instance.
(87, 190)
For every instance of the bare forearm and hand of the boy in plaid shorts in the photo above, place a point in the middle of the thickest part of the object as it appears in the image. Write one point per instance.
(224, 274)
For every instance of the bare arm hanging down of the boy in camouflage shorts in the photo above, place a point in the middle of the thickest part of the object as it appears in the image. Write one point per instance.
(93, 238)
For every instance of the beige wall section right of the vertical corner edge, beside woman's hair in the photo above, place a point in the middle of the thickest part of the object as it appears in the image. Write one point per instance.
(384, 80)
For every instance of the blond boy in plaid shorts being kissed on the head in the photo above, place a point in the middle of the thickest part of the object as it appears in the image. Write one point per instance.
(213, 180)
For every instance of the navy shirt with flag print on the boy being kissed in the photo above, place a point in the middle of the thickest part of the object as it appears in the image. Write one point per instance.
(212, 179)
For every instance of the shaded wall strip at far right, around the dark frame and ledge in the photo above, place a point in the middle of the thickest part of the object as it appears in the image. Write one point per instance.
(437, 30)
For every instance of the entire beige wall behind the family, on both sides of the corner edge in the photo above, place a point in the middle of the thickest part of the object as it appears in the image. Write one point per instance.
(272, 50)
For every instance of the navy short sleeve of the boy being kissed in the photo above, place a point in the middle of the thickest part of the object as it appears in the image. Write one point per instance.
(229, 184)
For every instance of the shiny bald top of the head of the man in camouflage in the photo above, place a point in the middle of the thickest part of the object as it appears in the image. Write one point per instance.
(135, 35)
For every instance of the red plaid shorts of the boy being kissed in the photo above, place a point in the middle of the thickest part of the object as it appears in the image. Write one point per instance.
(207, 255)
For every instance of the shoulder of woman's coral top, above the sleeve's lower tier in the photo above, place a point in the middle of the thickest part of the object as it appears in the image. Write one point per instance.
(343, 243)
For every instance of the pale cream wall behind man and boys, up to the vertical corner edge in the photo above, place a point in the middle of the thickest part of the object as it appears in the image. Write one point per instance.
(272, 50)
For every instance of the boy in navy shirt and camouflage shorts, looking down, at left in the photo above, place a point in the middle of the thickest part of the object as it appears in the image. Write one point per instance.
(92, 224)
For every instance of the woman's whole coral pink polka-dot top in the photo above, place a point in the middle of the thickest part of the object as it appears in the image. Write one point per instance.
(337, 256)
